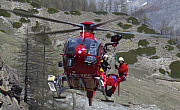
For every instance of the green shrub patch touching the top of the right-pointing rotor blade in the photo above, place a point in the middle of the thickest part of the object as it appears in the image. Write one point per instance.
(146, 29)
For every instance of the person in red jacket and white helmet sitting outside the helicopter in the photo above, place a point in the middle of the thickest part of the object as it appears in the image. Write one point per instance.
(122, 70)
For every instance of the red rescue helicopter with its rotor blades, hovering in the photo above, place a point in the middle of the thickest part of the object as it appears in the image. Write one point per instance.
(81, 56)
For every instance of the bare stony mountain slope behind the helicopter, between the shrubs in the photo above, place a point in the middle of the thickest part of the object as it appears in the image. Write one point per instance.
(144, 88)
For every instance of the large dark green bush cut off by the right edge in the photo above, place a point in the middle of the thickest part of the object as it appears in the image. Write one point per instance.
(175, 69)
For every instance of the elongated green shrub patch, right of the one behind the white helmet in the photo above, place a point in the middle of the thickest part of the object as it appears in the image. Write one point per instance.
(148, 51)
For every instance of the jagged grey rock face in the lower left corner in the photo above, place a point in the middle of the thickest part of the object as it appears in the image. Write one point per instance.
(8, 99)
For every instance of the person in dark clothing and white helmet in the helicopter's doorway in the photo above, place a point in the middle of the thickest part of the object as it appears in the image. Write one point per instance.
(104, 64)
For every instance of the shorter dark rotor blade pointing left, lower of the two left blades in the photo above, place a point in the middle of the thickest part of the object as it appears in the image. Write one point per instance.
(58, 32)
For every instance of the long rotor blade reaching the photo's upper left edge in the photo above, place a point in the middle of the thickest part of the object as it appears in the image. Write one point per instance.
(44, 18)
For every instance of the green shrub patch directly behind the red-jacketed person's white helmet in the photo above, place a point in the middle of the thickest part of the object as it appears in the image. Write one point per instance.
(129, 57)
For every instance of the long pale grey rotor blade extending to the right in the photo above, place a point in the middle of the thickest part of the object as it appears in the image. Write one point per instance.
(137, 33)
